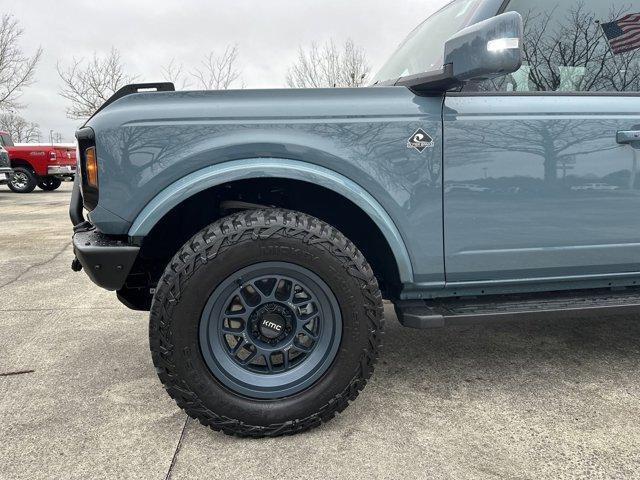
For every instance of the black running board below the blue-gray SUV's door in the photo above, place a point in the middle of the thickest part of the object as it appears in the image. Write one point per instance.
(458, 311)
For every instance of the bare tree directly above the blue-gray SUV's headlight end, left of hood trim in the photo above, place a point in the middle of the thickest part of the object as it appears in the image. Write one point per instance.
(87, 85)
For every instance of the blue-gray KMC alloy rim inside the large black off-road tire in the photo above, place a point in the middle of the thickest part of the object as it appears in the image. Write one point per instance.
(270, 330)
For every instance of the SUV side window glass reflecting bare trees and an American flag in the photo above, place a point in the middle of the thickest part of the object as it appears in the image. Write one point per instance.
(575, 46)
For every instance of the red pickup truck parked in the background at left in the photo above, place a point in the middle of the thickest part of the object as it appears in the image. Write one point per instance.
(39, 164)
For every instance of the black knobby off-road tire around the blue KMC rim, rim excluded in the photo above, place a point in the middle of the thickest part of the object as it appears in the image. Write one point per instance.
(213, 255)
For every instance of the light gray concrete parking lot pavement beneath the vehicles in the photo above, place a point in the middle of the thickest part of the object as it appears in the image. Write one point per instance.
(79, 397)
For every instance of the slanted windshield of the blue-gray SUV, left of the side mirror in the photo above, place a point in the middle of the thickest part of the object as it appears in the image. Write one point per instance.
(423, 49)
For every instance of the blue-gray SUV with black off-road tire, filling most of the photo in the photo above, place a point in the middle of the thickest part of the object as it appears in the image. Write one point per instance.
(489, 171)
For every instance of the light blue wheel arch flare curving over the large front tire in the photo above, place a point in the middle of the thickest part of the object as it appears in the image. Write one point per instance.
(230, 171)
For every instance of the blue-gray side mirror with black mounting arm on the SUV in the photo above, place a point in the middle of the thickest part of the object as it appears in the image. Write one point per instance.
(485, 50)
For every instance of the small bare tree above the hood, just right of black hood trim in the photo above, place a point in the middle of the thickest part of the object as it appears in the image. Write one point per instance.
(218, 72)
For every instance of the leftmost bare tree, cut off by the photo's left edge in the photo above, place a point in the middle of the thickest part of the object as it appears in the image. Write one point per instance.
(16, 68)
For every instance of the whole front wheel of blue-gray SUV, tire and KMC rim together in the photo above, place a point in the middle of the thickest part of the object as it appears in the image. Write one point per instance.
(266, 323)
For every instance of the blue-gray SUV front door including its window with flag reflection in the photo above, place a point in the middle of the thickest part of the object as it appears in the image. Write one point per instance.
(536, 183)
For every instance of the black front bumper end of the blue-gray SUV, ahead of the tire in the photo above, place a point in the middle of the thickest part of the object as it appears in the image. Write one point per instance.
(106, 260)
